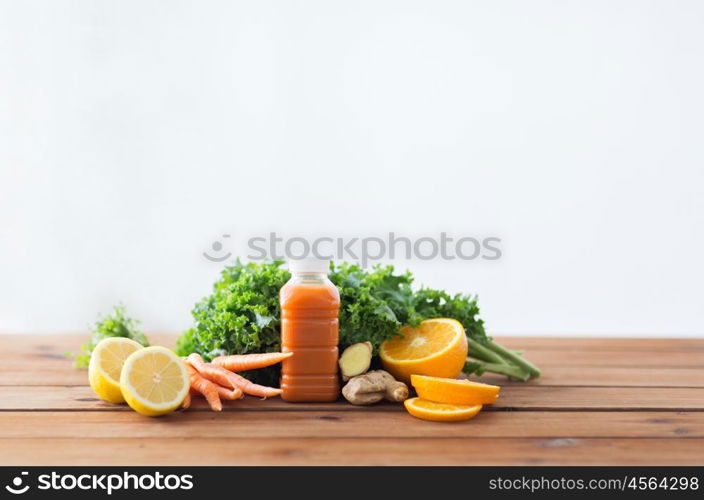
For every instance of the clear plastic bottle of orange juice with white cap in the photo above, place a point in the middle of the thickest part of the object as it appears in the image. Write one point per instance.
(310, 304)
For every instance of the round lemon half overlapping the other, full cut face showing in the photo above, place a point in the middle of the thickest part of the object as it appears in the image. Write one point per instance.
(154, 381)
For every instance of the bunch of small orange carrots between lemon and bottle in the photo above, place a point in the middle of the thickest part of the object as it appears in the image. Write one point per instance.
(217, 380)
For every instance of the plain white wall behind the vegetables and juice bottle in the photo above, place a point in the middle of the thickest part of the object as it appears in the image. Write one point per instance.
(134, 133)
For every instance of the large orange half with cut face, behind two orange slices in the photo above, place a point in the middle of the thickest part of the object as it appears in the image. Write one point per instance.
(437, 347)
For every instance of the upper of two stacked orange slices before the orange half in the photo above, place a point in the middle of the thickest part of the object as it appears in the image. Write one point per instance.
(453, 391)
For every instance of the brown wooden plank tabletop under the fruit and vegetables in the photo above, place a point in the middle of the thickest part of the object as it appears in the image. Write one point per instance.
(600, 401)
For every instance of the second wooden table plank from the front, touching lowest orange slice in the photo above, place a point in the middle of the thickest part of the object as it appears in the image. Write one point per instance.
(349, 424)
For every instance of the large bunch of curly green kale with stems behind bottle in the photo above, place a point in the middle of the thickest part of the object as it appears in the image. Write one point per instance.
(242, 315)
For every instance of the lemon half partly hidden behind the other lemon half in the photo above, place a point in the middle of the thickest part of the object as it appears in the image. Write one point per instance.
(106, 364)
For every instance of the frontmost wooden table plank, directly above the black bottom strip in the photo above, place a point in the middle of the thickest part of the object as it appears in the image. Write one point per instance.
(352, 451)
